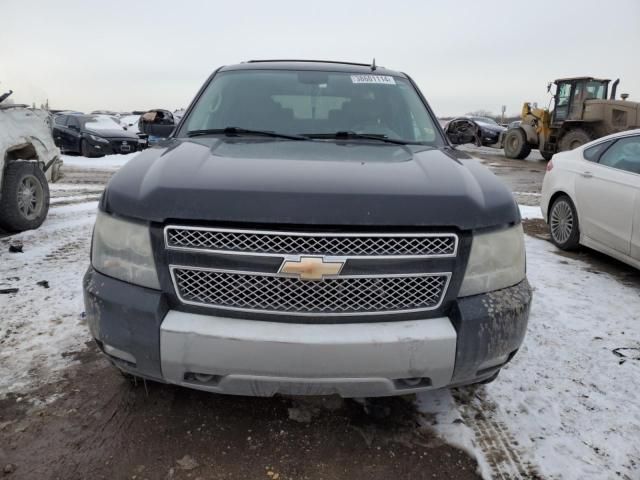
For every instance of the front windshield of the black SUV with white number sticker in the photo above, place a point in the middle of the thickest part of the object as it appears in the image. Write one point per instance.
(313, 102)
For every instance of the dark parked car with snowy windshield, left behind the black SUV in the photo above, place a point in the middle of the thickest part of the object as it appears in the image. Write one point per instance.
(94, 135)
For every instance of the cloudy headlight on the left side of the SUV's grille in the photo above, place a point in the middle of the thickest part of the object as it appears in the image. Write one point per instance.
(122, 249)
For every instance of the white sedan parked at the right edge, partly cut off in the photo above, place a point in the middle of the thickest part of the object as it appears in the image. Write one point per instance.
(591, 196)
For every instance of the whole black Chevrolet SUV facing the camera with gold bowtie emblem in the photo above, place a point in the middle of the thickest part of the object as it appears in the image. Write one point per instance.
(308, 230)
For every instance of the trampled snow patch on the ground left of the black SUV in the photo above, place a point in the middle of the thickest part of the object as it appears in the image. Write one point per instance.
(39, 324)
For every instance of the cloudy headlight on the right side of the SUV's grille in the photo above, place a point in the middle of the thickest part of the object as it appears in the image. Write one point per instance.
(497, 261)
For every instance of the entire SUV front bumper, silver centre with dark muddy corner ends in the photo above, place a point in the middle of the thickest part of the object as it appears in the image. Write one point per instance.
(142, 335)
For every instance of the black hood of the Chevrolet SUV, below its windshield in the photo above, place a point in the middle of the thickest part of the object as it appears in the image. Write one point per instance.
(308, 183)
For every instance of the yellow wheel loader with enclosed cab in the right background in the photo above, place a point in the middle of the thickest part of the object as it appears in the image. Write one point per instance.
(582, 112)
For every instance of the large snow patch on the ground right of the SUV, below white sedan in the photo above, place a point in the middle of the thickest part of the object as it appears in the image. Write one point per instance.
(567, 399)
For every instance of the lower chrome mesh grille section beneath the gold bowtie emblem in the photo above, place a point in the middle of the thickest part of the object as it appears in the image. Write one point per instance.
(337, 295)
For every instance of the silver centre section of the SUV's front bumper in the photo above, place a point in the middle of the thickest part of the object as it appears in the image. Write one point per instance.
(244, 357)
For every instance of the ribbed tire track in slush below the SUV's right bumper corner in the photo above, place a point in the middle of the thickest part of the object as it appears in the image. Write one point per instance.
(500, 448)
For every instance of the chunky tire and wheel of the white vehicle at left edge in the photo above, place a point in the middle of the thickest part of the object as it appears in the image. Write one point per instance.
(25, 197)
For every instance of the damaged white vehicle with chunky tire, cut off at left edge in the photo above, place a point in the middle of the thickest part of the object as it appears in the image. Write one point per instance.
(29, 159)
